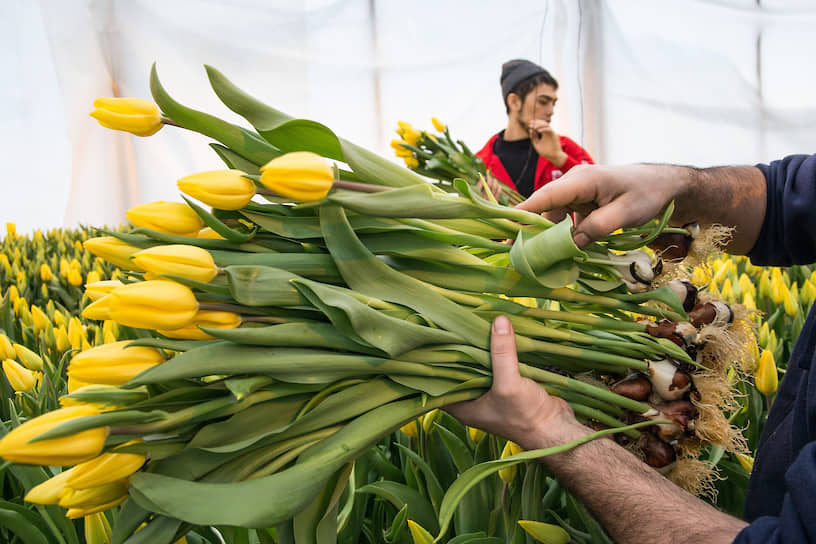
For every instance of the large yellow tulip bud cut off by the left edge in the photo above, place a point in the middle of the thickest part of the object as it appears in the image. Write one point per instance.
(17, 447)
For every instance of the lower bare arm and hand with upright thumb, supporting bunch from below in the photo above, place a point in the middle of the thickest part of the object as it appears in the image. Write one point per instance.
(633, 501)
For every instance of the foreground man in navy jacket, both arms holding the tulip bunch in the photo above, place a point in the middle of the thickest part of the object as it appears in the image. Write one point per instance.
(771, 208)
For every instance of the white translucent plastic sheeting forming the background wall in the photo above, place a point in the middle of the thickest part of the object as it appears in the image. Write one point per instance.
(642, 80)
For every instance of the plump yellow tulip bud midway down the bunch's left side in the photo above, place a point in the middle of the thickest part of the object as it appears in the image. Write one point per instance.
(154, 304)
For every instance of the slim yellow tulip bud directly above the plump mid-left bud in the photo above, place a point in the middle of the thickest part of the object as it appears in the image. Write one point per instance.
(190, 262)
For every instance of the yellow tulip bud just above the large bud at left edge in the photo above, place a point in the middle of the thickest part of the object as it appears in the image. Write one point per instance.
(113, 364)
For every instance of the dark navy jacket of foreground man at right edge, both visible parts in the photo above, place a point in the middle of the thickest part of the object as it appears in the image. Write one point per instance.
(781, 499)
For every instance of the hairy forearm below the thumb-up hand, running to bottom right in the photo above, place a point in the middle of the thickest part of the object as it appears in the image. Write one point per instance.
(629, 498)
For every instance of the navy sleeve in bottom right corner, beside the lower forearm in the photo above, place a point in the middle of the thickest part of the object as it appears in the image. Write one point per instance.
(797, 519)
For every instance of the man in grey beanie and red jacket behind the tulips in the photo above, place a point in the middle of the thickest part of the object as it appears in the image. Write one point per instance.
(528, 154)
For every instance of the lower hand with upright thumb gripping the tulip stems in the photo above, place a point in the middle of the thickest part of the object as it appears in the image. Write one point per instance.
(517, 408)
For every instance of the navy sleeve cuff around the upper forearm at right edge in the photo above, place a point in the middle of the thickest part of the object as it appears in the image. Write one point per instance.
(788, 234)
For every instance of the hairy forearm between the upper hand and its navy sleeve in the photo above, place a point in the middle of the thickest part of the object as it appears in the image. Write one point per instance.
(733, 196)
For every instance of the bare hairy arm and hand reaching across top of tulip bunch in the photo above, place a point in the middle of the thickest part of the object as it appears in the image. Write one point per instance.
(605, 198)
